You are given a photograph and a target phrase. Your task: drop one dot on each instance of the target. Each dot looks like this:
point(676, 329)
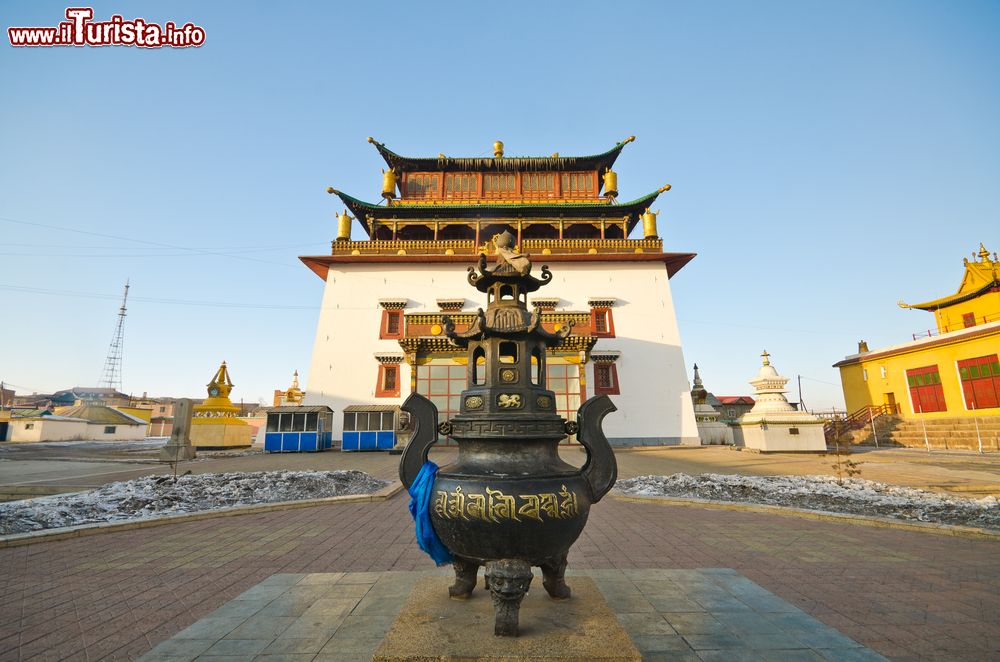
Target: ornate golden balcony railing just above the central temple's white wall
point(469, 247)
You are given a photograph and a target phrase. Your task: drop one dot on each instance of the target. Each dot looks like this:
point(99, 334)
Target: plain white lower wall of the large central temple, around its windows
point(654, 406)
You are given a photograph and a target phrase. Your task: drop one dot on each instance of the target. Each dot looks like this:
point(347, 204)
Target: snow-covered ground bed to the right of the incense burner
point(856, 496)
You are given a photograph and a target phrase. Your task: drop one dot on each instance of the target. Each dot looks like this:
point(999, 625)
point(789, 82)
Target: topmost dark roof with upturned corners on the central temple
point(442, 163)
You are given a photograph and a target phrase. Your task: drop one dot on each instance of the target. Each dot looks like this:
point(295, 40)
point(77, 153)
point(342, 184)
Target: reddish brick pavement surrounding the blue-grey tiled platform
point(908, 595)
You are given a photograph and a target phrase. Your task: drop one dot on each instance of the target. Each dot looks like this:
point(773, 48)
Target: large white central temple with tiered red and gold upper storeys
point(380, 333)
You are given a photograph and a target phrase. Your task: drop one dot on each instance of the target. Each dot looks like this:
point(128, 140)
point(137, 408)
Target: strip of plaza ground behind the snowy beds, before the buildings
point(52, 467)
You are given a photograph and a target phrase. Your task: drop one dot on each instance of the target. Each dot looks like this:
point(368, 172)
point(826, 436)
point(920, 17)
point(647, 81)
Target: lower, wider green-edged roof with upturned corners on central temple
point(489, 210)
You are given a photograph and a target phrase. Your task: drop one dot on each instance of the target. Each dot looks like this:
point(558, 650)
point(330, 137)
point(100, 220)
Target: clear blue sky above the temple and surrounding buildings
point(827, 159)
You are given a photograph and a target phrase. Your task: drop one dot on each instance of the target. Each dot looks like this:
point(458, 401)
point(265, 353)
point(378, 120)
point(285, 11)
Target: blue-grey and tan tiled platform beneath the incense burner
point(678, 615)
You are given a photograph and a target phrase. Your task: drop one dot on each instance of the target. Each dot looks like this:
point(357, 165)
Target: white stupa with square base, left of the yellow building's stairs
point(773, 425)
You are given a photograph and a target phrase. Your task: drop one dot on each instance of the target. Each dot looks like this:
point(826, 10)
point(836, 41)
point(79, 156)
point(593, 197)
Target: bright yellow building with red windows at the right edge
point(951, 373)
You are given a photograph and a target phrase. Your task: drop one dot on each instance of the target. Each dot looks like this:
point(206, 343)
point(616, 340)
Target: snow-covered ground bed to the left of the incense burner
point(157, 496)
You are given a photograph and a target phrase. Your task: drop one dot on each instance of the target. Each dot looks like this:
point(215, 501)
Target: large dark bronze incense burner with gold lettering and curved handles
point(508, 501)
